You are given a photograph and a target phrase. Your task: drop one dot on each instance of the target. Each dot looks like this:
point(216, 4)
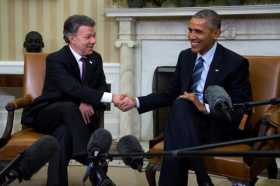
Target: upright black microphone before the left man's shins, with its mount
point(98, 146)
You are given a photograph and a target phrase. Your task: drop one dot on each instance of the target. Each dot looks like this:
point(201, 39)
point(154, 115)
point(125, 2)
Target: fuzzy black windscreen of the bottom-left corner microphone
point(37, 155)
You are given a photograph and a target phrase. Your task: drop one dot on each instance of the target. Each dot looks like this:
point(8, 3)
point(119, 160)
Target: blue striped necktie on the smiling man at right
point(196, 75)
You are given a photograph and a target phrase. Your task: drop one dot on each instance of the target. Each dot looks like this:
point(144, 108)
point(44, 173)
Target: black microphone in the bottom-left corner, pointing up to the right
point(30, 161)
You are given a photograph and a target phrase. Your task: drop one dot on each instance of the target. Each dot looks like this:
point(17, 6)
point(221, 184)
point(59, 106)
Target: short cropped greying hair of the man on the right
point(214, 19)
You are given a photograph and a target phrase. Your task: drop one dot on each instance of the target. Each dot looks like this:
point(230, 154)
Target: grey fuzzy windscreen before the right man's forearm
point(215, 94)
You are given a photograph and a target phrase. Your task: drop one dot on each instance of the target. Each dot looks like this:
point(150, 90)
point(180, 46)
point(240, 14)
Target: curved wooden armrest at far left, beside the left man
point(11, 107)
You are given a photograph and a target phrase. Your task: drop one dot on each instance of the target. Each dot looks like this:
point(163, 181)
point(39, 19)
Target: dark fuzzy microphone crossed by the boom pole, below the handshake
point(129, 145)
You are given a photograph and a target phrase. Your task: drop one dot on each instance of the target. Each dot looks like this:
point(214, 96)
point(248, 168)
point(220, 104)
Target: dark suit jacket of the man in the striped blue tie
point(228, 70)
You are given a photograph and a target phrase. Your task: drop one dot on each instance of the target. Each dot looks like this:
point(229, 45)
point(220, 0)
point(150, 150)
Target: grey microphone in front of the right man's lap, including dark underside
point(219, 101)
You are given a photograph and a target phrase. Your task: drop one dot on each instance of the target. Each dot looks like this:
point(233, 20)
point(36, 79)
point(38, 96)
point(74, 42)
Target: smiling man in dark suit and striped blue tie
point(190, 121)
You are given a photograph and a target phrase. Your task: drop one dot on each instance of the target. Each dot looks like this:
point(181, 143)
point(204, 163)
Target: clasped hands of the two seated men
point(124, 102)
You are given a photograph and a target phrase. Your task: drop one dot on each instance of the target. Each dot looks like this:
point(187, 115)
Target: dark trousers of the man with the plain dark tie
point(64, 121)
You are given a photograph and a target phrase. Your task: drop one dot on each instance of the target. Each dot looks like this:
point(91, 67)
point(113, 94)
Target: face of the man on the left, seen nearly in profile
point(83, 40)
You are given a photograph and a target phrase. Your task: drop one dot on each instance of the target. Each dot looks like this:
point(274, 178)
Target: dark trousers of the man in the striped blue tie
point(186, 128)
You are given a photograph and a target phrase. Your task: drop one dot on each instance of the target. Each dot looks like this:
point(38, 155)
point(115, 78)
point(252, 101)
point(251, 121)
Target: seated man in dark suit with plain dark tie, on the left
point(74, 89)
